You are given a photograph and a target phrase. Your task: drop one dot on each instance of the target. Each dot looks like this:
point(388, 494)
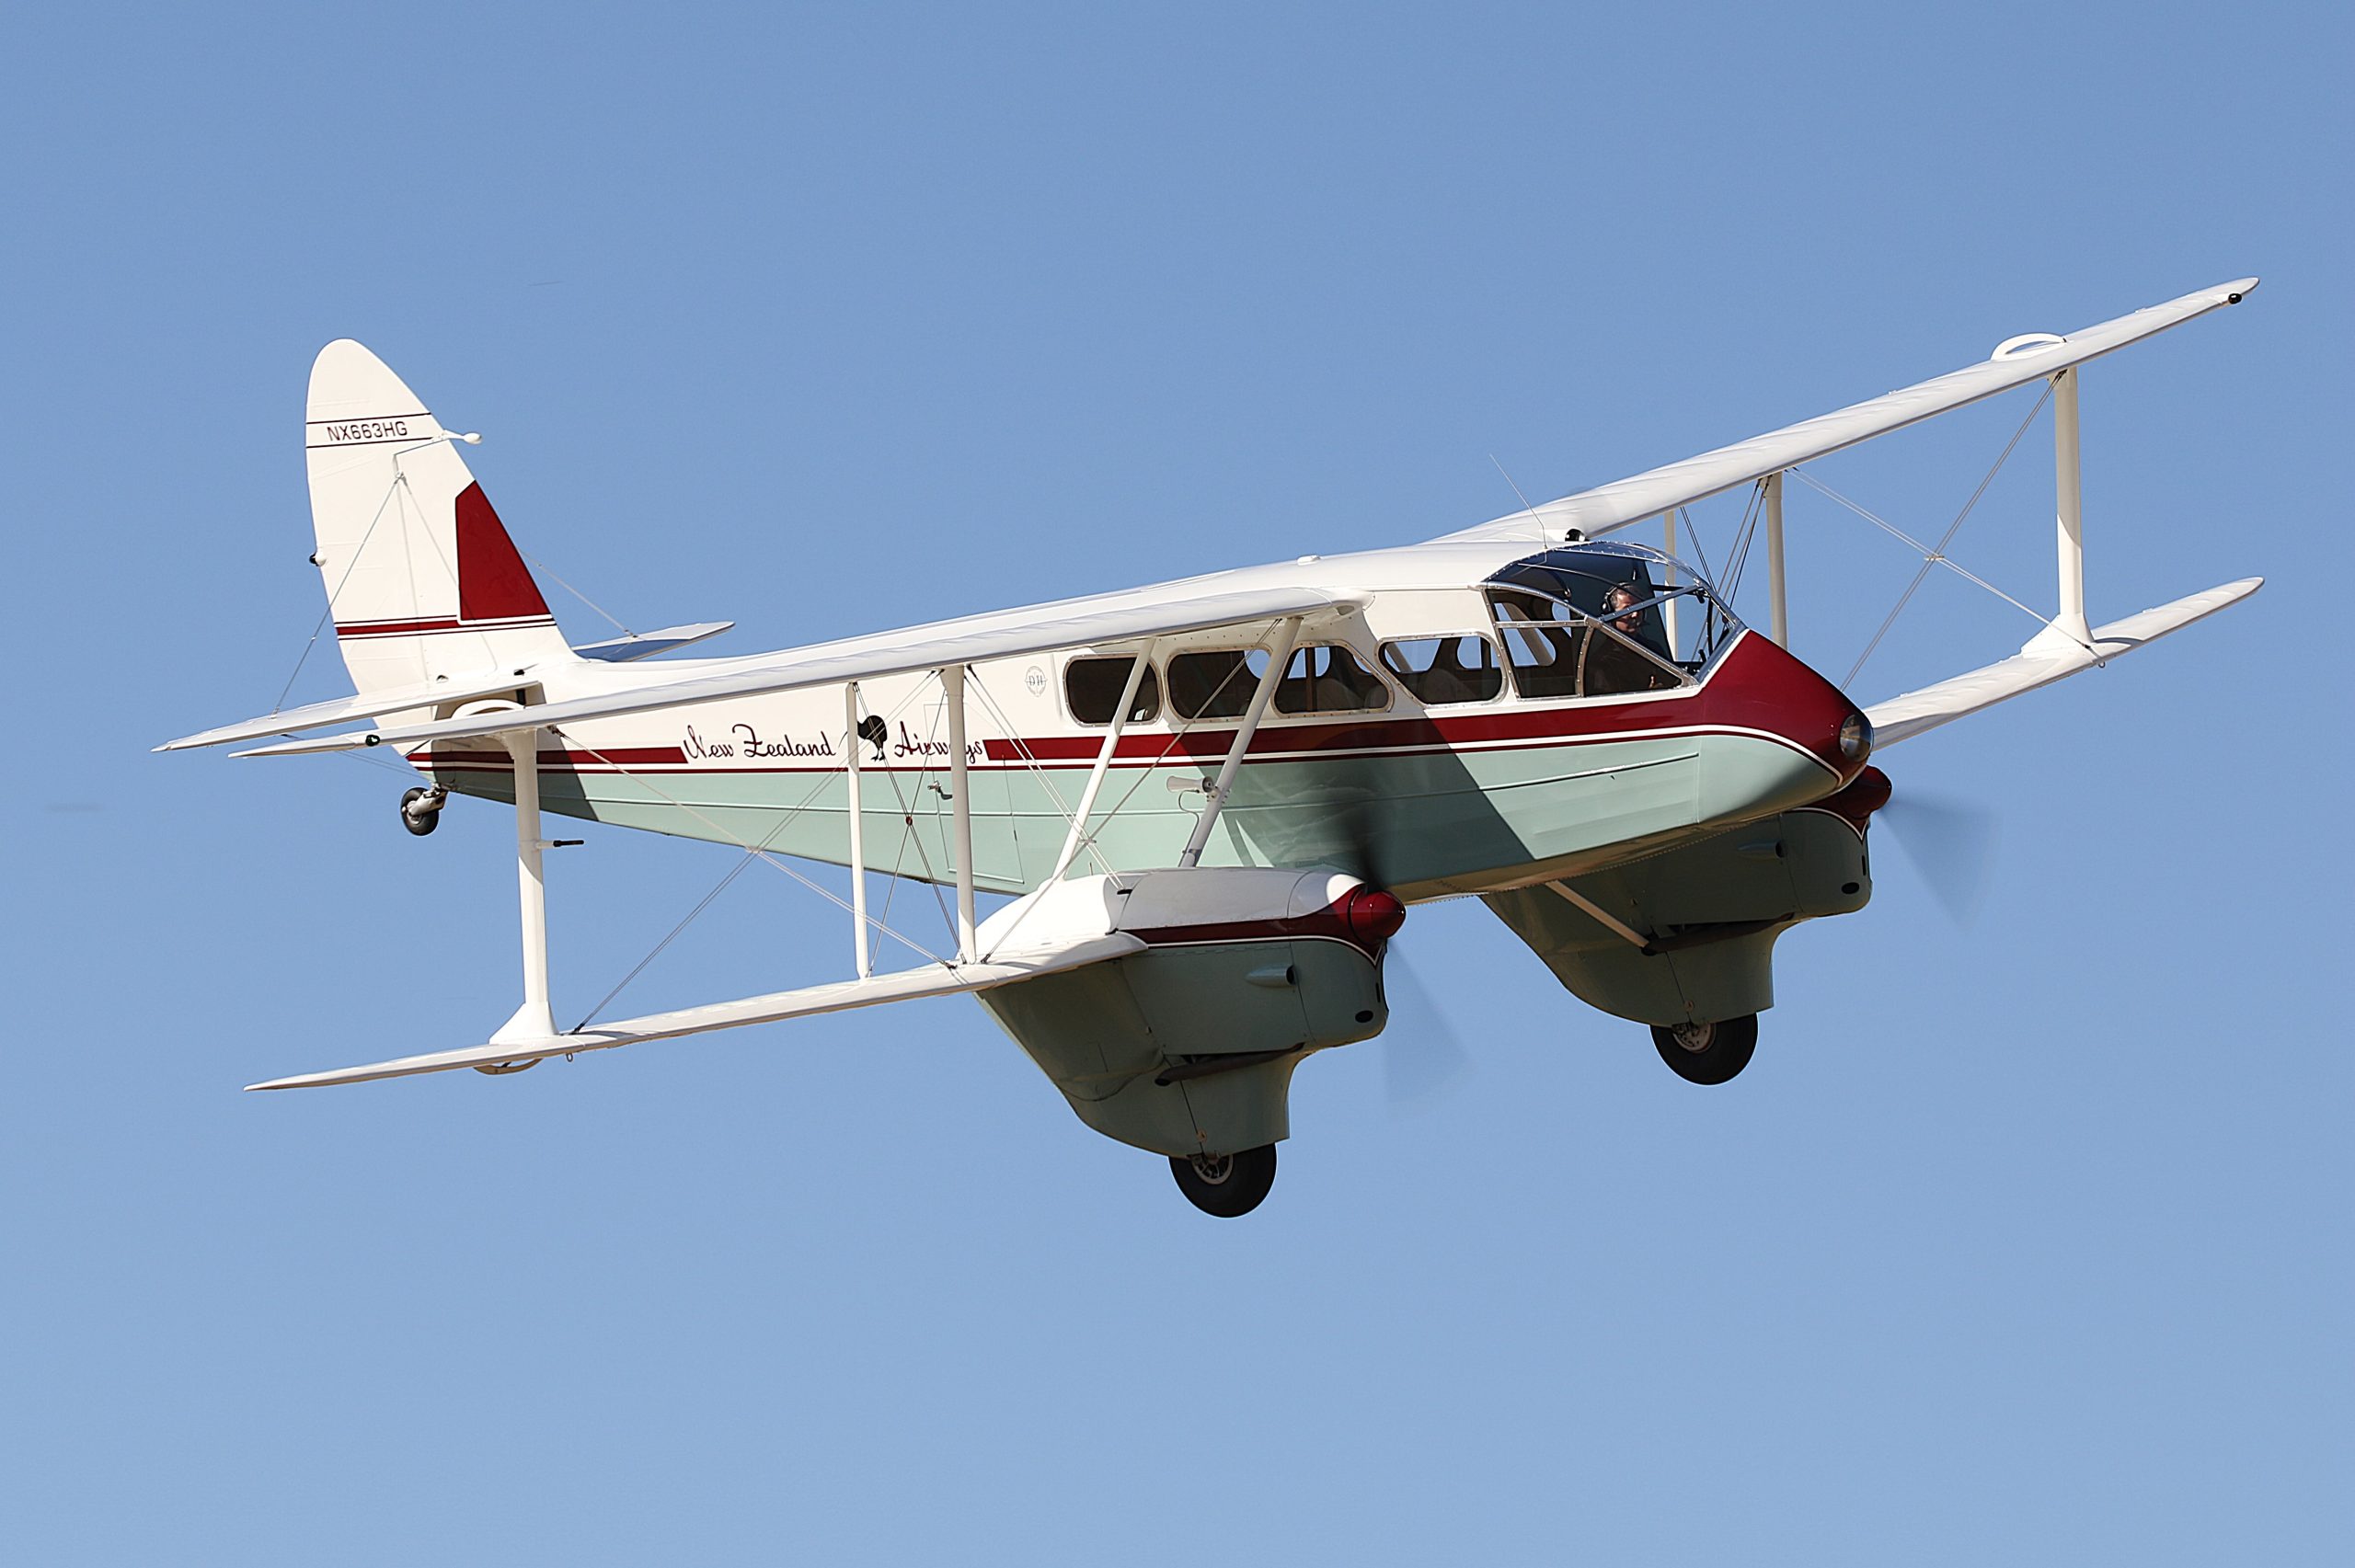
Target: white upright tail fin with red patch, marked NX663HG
point(420, 573)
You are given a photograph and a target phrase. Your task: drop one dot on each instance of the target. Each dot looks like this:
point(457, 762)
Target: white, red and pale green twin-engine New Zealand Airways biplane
point(1205, 804)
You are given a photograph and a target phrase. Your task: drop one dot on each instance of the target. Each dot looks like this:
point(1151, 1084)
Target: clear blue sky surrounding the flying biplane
point(2022, 1240)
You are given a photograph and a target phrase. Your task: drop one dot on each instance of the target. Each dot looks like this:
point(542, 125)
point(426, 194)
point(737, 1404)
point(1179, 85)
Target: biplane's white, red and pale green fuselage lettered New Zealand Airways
point(1466, 788)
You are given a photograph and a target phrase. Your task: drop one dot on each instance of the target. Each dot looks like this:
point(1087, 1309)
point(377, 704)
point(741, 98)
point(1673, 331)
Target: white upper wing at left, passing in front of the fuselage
point(1009, 634)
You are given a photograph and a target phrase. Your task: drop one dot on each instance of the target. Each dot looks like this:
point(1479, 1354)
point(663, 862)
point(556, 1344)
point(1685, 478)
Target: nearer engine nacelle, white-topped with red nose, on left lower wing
point(1190, 1044)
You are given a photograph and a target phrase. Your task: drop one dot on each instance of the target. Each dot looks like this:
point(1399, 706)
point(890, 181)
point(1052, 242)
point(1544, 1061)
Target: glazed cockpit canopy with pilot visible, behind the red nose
point(1586, 620)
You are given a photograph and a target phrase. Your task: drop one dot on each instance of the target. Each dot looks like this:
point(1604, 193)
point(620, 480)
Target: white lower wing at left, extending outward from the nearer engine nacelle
point(908, 985)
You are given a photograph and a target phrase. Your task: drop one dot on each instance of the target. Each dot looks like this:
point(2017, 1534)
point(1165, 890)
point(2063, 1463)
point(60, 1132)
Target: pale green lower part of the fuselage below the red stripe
point(1424, 825)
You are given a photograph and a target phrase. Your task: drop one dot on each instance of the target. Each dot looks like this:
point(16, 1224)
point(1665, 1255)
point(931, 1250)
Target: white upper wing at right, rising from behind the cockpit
point(1647, 496)
